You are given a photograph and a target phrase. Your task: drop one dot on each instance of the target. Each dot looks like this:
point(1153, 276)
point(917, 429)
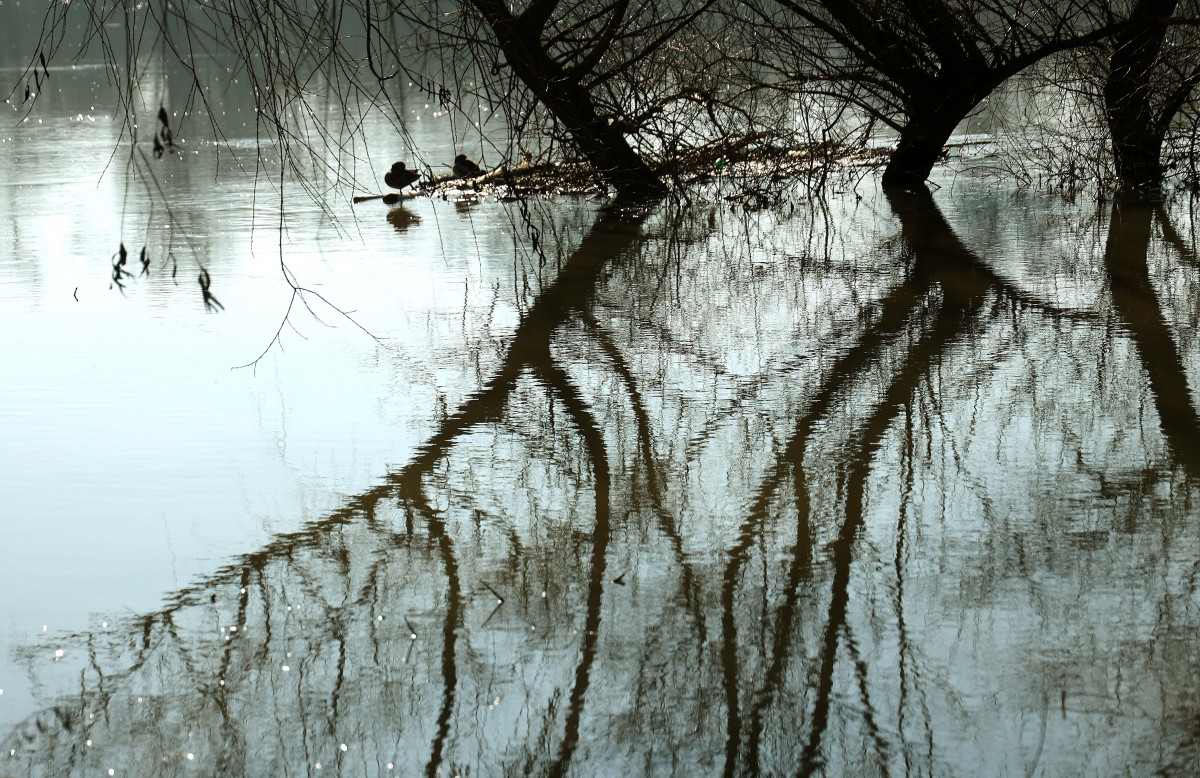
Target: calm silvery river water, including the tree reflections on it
point(875, 484)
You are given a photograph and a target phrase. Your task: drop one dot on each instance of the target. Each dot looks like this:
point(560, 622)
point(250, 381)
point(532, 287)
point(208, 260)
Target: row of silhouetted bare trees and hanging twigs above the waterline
point(653, 94)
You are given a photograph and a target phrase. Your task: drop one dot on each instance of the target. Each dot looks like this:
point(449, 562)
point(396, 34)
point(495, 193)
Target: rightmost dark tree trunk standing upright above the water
point(1135, 124)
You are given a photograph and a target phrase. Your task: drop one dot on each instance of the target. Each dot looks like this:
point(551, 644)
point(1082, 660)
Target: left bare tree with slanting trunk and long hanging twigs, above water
point(632, 88)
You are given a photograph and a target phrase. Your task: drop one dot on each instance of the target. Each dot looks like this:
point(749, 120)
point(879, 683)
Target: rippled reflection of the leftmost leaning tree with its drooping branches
point(530, 352)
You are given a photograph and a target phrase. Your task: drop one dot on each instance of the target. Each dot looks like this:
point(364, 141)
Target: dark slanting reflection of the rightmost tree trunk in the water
point(1137, 304)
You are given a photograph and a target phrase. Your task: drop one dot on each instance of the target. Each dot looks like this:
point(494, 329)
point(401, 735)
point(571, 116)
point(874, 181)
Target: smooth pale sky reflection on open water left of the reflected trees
point(135, 458)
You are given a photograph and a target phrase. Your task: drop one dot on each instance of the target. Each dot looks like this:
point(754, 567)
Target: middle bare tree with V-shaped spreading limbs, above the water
point(922, 67)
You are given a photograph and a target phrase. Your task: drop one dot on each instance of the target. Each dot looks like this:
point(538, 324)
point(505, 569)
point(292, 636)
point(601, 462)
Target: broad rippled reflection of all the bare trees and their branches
point(793, 511)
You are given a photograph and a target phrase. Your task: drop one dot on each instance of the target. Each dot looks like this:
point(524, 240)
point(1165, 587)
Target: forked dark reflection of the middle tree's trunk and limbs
point(945, 290)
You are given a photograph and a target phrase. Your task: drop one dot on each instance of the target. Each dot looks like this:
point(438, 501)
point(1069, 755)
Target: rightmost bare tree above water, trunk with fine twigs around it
point(1118, 113)
